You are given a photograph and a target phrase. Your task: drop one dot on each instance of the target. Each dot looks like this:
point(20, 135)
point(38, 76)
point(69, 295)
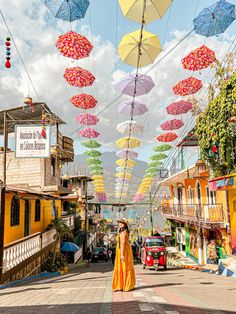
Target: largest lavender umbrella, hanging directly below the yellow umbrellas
point(144, 84)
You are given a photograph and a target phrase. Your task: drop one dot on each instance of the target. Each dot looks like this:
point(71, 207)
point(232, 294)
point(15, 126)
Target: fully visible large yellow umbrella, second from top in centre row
point(129, 48)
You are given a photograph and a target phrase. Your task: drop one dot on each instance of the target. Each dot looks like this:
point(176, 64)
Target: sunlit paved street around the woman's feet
point(175, 291)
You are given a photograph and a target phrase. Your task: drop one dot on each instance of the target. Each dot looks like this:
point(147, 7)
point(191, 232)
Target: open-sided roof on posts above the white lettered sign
point(20, 115)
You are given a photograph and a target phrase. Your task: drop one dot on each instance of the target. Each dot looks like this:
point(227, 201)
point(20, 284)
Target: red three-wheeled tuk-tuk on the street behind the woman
point(154, 253)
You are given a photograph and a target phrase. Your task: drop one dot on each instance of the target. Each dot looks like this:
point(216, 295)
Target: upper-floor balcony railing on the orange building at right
point(197, 214)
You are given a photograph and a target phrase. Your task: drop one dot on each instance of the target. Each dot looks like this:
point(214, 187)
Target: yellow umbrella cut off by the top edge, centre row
point(154, 10)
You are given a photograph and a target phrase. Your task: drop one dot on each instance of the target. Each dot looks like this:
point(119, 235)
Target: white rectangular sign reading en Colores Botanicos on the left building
point(29, 141)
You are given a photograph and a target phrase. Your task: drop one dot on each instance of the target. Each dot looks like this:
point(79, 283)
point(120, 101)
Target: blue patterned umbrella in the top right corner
point(215, 19)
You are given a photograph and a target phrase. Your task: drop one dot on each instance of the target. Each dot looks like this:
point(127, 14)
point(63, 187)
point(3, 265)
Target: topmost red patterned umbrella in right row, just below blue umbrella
point(199, 59)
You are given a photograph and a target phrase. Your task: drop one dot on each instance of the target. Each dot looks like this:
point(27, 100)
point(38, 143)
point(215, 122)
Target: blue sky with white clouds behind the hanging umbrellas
point(35, 31)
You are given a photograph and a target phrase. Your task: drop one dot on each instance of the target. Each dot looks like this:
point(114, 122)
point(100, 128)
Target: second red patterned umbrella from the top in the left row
point(78, 77)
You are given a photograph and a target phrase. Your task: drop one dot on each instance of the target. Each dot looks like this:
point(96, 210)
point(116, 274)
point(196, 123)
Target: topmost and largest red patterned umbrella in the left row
point(74, 45)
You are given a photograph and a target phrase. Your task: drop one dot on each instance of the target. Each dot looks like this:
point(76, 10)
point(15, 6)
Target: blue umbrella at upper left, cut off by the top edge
point(68, 10)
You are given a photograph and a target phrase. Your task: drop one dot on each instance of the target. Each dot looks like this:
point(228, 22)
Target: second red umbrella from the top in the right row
point(188, 86)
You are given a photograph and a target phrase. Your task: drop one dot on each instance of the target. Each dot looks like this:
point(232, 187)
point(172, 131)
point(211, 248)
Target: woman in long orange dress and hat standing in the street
point(123, 275)
